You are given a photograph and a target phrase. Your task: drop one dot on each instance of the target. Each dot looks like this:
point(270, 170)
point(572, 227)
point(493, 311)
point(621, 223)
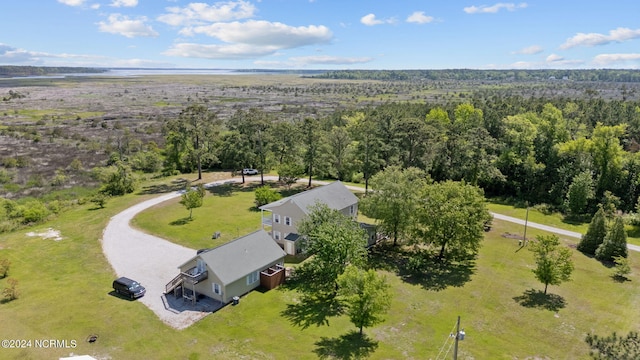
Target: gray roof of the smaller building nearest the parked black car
point(242, 256)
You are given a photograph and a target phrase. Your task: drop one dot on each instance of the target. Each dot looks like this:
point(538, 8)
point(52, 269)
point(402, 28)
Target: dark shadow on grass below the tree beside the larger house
point(312, 310)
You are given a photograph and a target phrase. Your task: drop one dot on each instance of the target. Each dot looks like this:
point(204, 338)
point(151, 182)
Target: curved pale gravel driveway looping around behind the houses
point(154, 261)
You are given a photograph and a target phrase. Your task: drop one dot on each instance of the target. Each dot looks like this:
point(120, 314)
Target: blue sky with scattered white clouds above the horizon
point(322, 34)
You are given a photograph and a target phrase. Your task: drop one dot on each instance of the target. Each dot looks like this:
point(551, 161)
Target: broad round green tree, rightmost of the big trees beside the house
point(451, 215)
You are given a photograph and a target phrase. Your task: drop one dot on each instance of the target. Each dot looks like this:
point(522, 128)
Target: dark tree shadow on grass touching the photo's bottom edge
point(352, 345)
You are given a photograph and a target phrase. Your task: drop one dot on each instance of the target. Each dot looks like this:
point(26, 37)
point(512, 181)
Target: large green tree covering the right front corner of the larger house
point(333, 241)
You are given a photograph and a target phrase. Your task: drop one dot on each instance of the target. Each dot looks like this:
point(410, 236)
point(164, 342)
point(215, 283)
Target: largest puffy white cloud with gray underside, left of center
point(265, 33)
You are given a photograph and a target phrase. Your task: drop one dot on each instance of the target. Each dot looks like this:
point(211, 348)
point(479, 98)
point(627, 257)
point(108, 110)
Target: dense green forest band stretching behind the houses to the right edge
point(531, 149)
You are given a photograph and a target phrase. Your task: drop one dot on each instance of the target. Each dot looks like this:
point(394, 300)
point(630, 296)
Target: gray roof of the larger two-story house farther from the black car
point(335, 196)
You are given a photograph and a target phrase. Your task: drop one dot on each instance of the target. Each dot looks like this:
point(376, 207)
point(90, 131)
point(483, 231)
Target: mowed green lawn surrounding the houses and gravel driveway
point(65, 294)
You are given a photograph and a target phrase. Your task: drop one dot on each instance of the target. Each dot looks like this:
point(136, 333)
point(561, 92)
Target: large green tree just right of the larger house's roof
point(394, 199)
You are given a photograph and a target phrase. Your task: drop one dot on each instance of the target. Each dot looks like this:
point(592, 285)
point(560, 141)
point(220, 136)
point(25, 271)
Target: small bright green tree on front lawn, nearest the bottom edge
point(366, 296)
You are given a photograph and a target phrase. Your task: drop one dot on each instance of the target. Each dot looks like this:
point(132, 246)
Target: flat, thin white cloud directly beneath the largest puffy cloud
point(229, 52)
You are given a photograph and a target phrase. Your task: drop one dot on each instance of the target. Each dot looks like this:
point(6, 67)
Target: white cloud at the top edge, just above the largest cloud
point(198, 13)
